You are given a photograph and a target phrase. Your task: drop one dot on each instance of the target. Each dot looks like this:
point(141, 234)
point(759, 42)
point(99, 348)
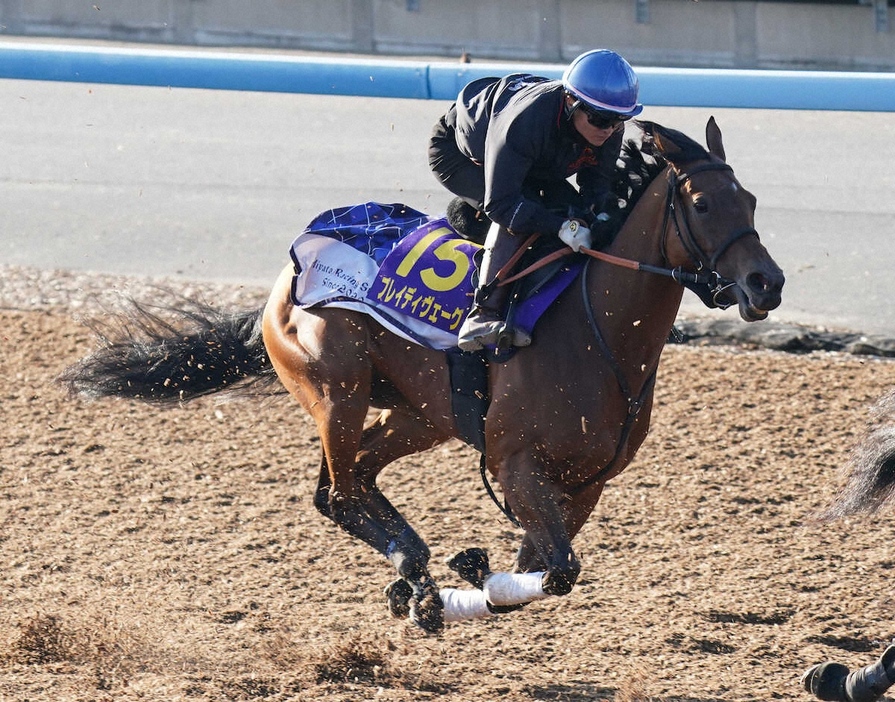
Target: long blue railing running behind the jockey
point(762, 89)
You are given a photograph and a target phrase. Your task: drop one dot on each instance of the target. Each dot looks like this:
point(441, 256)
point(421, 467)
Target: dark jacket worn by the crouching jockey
point(518, 129)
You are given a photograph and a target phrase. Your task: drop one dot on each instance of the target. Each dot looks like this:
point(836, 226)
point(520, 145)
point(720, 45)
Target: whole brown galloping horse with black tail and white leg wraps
point(566, 414)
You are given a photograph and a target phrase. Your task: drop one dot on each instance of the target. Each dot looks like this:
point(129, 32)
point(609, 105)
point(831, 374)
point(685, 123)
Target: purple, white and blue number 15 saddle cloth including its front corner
point(412, 273)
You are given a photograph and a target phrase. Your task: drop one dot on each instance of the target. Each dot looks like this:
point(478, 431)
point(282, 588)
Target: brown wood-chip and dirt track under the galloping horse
point(176, 555)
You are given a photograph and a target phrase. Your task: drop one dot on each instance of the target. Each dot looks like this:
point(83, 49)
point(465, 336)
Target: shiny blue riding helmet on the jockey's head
point(604, 81)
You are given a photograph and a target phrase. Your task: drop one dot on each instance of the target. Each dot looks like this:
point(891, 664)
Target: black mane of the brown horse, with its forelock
point(641, 161)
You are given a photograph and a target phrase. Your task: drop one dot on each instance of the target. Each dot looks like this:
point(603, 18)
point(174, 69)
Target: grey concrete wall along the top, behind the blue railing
point(709, 33)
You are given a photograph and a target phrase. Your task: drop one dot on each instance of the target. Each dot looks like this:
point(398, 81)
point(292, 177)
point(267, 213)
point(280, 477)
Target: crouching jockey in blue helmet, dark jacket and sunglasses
point(506, 148)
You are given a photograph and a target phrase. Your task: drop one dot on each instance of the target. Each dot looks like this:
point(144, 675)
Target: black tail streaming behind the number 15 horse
point(173, 354)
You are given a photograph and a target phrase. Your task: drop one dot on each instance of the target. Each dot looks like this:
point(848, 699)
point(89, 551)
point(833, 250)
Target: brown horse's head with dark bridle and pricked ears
point(710, 221)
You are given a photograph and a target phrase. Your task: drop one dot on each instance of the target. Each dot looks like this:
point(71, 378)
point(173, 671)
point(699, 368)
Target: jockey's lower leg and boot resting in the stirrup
point(485, 324)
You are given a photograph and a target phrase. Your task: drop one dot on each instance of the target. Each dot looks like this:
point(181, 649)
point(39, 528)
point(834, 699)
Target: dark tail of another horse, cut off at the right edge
point(871, 479)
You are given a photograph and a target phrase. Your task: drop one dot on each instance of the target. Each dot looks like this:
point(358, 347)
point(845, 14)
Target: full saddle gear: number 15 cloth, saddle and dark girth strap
point(413, 274)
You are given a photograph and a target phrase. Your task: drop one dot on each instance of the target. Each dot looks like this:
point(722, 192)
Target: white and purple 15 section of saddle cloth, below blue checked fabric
point(422, 291)
